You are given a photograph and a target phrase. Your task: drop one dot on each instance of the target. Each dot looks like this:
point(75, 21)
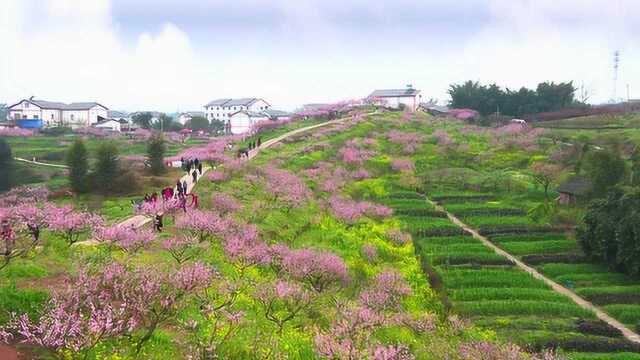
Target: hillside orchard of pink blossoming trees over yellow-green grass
point(296, 254)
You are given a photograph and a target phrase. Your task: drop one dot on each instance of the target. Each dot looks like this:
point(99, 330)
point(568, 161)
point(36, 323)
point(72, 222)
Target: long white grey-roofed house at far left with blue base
point(31, 113)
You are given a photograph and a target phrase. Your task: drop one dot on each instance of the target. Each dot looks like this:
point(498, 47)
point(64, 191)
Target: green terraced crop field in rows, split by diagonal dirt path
point(488, 289)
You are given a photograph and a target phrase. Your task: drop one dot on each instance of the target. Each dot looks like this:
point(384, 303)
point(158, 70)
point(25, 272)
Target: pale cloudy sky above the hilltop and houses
point(178, 55)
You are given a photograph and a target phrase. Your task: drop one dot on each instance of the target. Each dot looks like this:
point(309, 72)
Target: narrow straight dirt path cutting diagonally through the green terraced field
point(628, 333)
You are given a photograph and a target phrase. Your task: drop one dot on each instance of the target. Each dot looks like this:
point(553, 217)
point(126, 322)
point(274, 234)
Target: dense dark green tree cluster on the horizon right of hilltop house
point(489, 99)
